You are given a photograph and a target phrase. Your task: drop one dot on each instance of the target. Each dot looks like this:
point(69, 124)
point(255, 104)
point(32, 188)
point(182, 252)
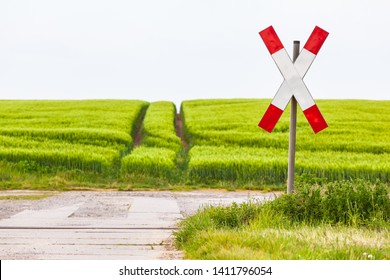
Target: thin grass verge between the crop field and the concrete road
point(15, 177)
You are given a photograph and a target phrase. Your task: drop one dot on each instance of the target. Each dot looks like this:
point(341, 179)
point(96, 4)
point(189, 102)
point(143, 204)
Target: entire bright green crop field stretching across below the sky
point(91, 143)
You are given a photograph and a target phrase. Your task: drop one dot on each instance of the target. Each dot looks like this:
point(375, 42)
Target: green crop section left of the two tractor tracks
point(71, 135)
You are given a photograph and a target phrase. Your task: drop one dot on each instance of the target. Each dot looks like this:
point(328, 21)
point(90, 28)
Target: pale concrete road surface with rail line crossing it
point(101, 225)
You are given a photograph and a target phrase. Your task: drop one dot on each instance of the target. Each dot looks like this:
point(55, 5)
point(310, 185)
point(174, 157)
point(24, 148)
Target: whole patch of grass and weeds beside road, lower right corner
point(295, 226)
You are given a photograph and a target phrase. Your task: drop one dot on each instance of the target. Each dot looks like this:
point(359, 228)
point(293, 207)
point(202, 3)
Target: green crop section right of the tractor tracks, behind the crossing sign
point(227, 144)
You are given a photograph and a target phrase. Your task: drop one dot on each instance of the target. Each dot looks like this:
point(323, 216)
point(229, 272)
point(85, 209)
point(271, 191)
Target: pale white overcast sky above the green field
point(178, 50)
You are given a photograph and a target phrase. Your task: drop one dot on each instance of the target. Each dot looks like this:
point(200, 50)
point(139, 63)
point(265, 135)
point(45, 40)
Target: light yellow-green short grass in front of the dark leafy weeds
point(295, 243)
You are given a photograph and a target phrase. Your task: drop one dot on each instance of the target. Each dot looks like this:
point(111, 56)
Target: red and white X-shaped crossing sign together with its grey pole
point(293, 89)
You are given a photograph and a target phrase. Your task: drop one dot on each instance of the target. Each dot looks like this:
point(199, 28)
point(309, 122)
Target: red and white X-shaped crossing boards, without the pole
point(293, 74)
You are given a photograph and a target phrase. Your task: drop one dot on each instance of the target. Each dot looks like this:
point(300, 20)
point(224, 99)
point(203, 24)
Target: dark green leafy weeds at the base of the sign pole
point(345, 202)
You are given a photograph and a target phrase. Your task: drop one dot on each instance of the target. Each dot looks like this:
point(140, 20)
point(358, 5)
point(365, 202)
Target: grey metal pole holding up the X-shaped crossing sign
point(293, 132)
